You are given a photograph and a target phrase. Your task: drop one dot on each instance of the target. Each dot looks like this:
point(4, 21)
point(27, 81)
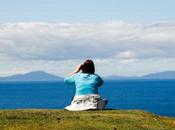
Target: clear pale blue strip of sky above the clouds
point(86, 10)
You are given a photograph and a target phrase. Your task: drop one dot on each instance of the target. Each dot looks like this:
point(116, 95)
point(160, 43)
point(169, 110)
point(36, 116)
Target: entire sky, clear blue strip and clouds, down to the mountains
point(123, 37)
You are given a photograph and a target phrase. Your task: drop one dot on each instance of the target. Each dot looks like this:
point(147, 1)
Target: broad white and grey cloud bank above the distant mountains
point(117, 47)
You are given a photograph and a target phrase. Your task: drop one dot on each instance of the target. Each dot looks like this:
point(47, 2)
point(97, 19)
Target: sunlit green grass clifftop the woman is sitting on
point(85, 120)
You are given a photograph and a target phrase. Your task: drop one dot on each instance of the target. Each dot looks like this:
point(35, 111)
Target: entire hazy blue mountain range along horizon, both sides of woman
point(43, 76)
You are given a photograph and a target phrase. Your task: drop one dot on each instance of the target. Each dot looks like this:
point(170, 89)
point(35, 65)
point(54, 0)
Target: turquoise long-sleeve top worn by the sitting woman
point(85, 83)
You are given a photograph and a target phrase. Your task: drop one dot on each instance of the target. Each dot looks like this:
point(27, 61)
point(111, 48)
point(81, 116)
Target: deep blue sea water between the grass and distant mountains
point(153, 96)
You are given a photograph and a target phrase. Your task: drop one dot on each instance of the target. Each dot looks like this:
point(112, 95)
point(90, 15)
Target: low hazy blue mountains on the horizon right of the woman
point(159, 75)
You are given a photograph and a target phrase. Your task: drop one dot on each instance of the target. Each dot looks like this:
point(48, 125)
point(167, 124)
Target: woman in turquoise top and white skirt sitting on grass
point(87, 84)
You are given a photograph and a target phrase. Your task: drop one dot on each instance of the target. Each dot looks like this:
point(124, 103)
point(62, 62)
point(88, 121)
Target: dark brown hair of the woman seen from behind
point(88, 67)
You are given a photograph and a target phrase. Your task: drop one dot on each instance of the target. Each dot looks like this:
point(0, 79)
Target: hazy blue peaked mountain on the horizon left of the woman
point(32, 76)
